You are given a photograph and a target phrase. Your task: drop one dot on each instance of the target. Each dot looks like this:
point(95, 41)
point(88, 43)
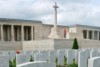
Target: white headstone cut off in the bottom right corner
point(94, 62)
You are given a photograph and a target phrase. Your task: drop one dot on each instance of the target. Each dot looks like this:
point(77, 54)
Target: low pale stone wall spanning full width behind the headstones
point(47, 44)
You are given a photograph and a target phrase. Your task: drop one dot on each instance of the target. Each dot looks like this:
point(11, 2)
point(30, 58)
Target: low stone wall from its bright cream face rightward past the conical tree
point(50, 44)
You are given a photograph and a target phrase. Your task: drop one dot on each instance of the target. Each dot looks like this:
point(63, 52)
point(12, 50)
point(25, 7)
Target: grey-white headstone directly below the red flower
point(22, 58)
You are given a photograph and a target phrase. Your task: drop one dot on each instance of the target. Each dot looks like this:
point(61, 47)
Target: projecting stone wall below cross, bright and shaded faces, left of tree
point(47, 44)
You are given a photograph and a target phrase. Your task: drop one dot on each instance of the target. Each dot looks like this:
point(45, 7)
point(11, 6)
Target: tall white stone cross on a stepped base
point(53, 33)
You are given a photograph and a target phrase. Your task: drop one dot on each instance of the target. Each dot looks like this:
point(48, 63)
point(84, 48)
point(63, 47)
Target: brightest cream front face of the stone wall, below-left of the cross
point(38, 45)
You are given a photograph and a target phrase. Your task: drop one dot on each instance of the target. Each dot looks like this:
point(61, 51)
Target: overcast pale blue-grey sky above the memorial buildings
point(86, 12)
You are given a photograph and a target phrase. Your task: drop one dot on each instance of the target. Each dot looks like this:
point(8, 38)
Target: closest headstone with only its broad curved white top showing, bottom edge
point(38, 64)
